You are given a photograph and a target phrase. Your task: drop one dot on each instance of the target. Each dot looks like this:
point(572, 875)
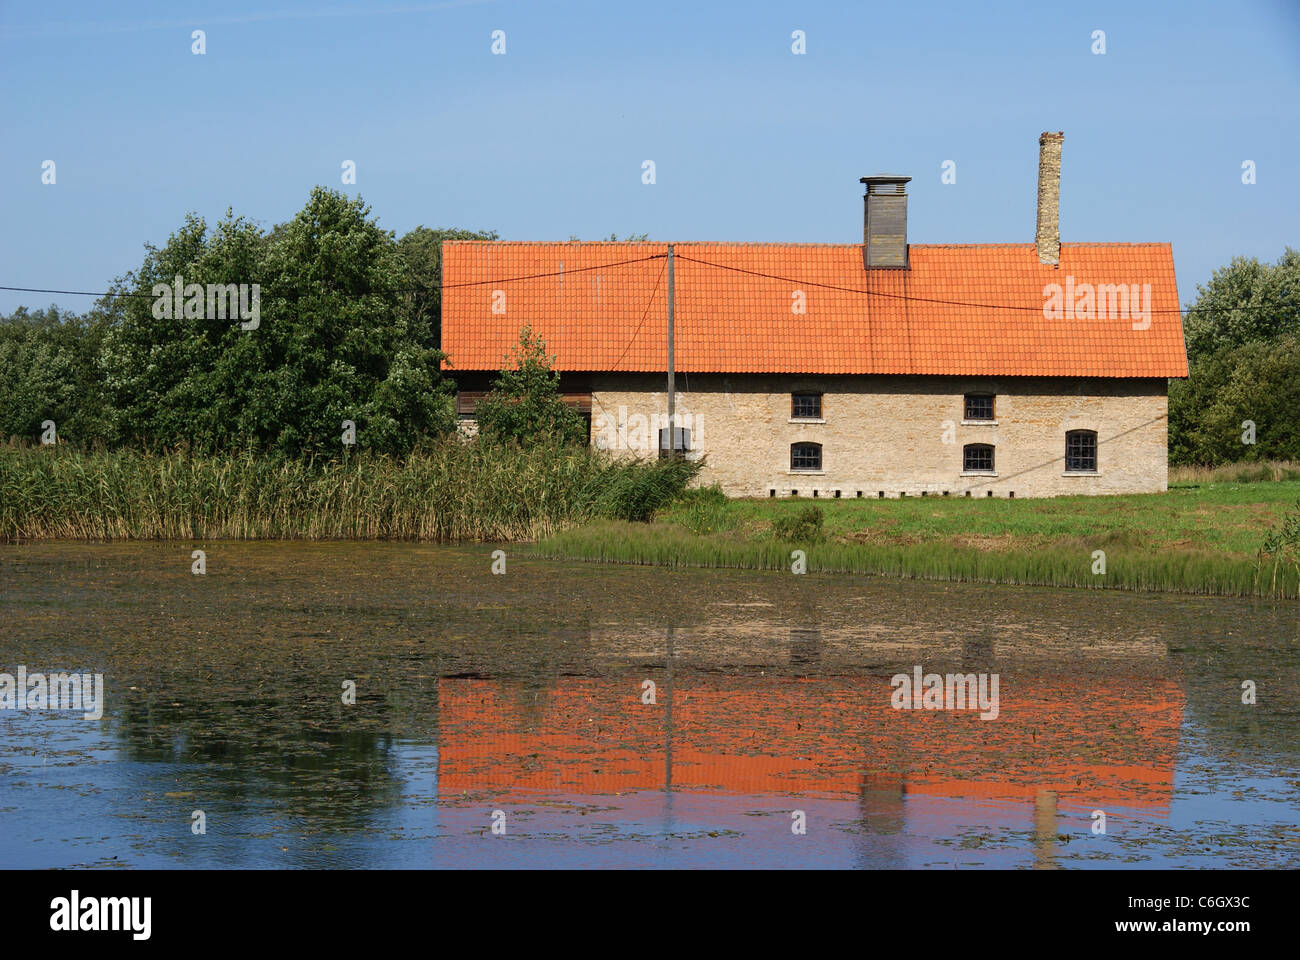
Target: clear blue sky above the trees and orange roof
point(751, 141)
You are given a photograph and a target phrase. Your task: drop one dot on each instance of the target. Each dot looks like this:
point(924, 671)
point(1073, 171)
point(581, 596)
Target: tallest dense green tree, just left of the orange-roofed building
point(343, 343)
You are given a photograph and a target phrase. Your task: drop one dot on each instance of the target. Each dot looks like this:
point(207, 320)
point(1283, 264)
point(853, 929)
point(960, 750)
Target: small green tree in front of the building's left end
point(525, 404)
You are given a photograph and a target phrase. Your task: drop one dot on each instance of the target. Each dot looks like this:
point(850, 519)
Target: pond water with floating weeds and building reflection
point(518, 702)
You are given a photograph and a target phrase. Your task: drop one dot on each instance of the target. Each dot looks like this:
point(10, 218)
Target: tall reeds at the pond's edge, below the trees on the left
point(447, 492)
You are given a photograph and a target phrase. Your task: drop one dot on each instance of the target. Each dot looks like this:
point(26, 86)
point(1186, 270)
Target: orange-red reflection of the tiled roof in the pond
point(1090, 741)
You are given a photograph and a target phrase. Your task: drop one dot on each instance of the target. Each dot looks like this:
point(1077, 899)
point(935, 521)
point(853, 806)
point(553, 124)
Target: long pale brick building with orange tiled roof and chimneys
point(844, 370)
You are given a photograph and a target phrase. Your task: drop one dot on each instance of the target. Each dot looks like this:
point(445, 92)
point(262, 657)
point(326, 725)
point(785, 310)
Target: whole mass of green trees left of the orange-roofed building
point(348, 330)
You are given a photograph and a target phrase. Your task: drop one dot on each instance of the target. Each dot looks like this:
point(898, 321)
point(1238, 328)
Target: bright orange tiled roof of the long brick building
point(959, 310)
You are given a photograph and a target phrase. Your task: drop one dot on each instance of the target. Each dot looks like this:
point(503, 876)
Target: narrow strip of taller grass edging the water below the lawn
point(1180, 572)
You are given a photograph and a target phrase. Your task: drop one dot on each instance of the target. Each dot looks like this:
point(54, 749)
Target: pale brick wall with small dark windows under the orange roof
point(896, 435)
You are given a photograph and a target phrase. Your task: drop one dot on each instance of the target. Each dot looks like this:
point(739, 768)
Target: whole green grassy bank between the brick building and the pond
point(1195, 539)
